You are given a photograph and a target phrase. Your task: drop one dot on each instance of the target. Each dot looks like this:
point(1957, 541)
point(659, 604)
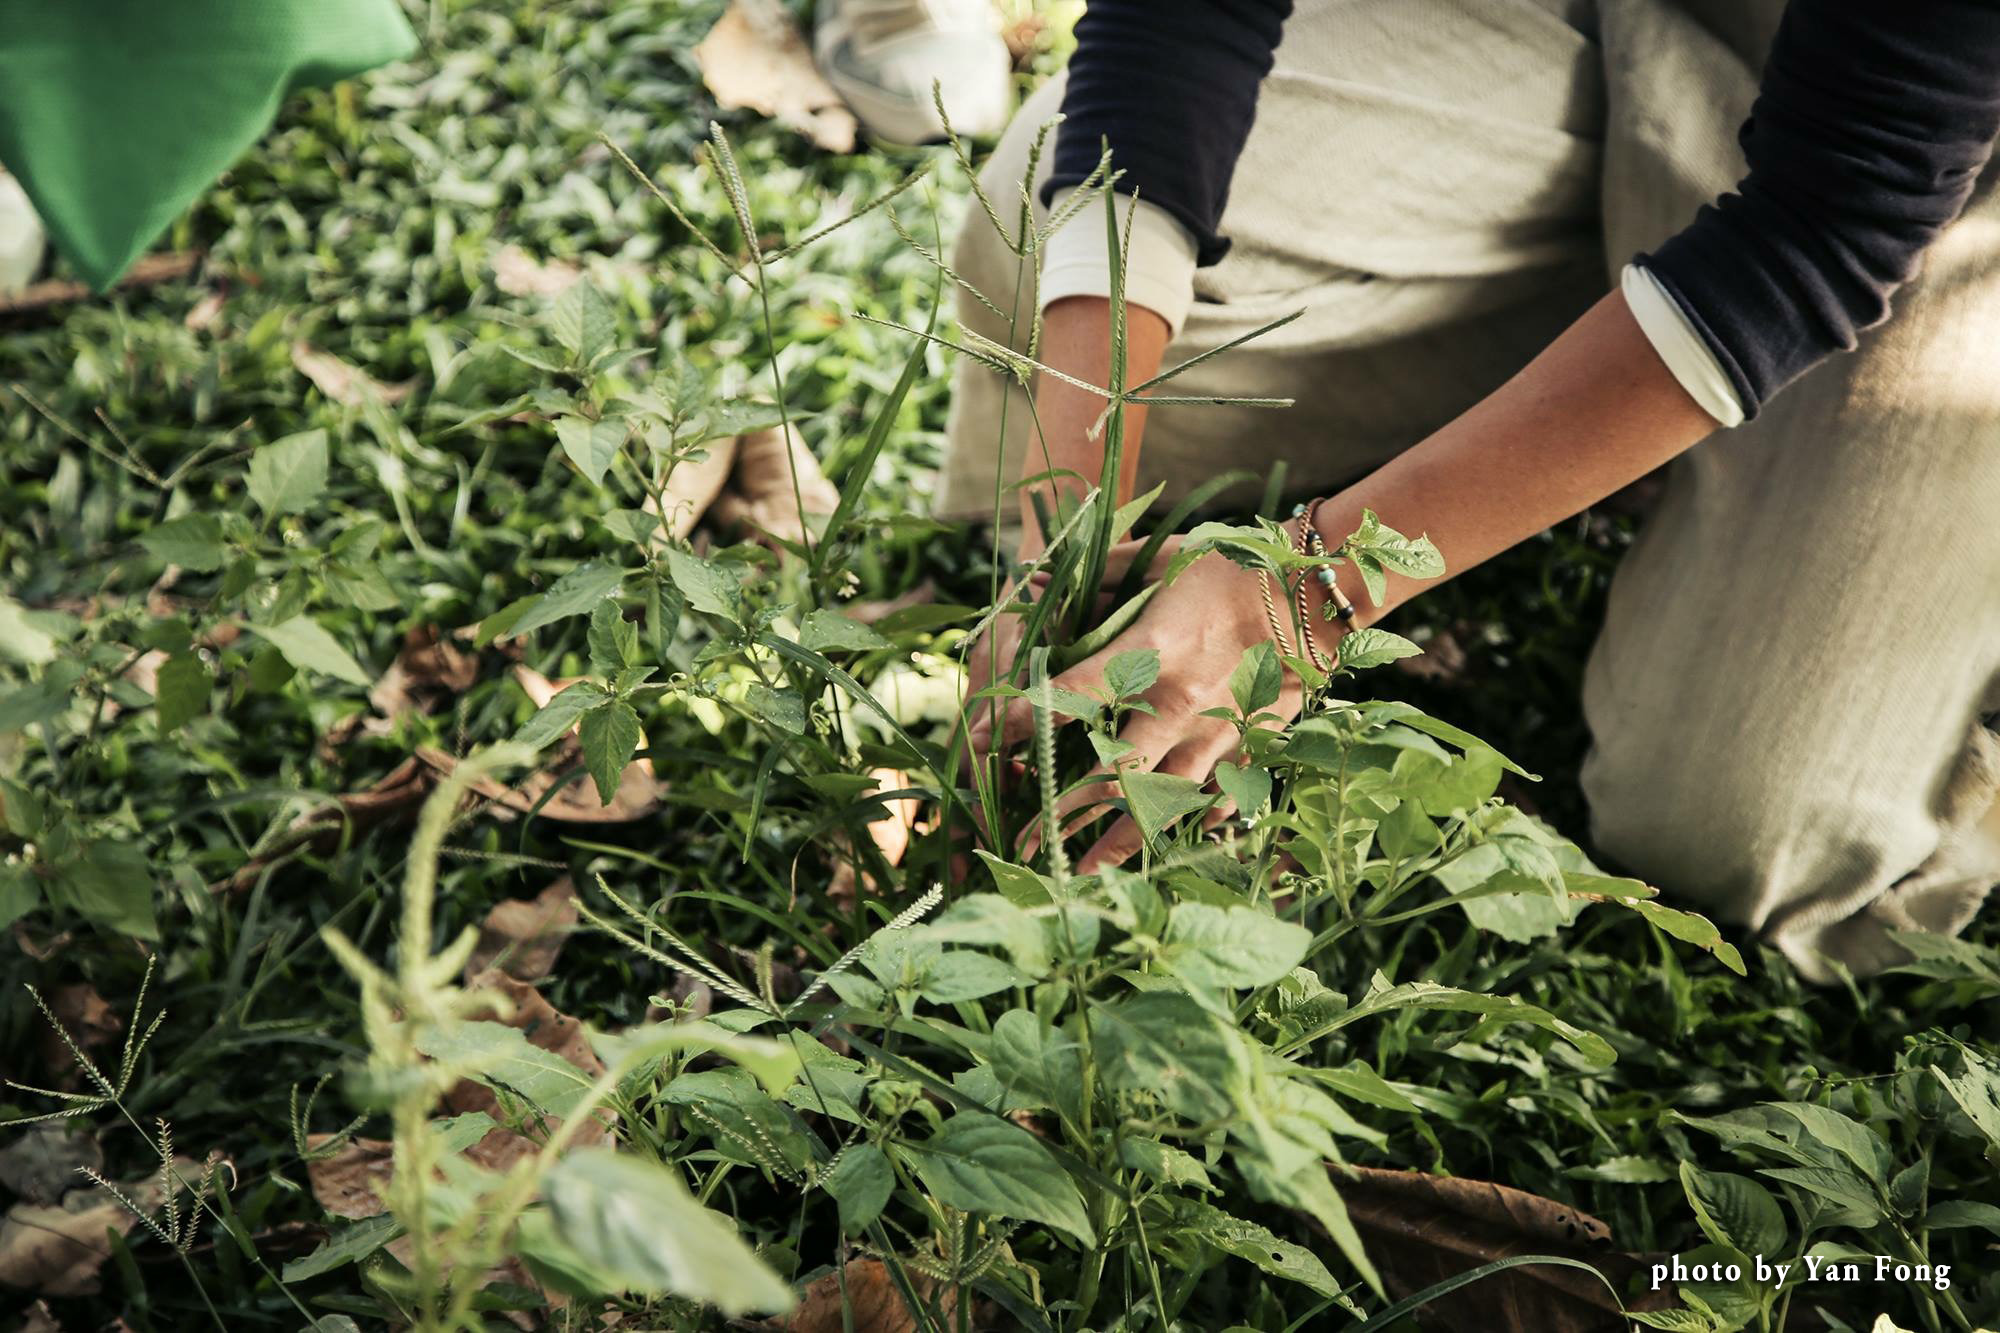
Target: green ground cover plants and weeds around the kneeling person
point(447, 888)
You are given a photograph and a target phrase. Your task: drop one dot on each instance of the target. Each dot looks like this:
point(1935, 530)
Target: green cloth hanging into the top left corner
point(117, 115)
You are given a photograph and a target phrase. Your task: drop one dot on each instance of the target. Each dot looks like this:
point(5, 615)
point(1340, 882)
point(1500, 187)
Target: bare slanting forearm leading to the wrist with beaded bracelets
point(1593, 413)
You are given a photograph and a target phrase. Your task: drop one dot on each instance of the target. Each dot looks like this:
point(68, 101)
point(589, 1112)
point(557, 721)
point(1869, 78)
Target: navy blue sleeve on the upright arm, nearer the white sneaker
point(1171, 85)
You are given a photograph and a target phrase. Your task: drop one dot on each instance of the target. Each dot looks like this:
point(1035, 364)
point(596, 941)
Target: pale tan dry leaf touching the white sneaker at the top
point(755, 57)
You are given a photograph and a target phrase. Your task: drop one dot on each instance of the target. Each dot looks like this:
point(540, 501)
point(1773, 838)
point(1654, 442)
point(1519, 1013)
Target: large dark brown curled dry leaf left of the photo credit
point(1425, 1228)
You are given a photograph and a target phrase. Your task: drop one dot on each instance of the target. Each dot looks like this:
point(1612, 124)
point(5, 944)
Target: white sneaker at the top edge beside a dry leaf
point(883, 57)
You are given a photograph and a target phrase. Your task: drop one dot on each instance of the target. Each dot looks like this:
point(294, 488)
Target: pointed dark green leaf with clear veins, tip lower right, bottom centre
point(979, 1164)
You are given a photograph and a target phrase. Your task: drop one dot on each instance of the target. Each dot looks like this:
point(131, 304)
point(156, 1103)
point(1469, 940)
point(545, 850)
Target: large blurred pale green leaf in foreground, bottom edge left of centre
point(639, 1222)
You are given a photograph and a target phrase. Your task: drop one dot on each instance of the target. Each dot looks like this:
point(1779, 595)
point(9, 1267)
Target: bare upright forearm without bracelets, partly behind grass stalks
point(1077, 341)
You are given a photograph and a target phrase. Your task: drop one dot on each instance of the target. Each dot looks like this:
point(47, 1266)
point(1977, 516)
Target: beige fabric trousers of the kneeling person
point(1787, 700)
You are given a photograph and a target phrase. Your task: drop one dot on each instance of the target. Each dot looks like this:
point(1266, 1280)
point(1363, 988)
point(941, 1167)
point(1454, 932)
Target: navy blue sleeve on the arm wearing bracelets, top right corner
point(1865, 141)
